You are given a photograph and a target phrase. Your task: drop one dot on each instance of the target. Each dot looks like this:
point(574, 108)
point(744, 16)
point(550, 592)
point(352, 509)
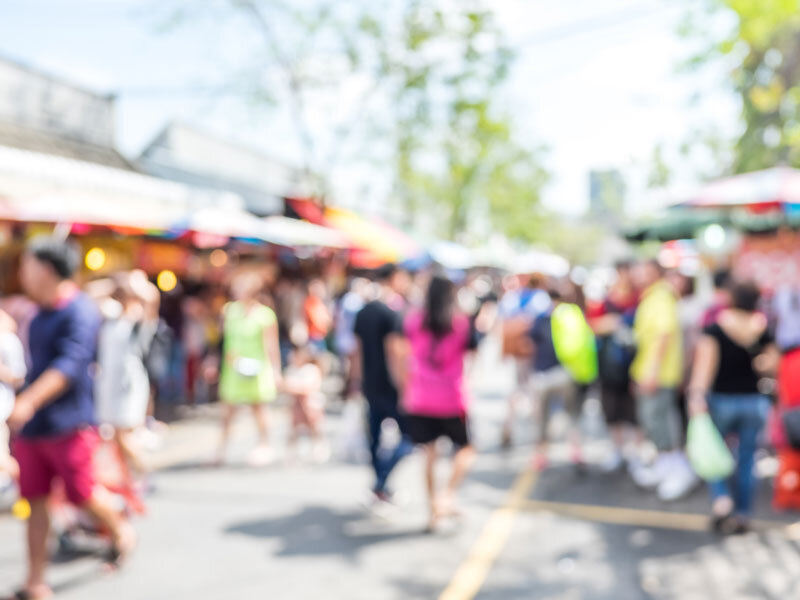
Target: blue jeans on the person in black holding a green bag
point(741, 416)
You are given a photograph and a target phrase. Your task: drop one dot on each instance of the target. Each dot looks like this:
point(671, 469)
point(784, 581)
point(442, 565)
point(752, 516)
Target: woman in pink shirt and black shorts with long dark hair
point(439, 337)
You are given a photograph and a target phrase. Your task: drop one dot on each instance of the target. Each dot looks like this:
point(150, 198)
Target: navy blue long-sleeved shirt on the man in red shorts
point(64, 339)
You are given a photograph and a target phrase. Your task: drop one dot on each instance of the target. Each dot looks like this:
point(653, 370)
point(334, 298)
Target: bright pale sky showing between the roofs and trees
point(595, 82)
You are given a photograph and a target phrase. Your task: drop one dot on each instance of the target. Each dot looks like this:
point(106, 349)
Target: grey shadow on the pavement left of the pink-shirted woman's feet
point(322, 531)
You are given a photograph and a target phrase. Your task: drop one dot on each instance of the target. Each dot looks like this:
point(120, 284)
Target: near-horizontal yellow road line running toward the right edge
point(635, 517)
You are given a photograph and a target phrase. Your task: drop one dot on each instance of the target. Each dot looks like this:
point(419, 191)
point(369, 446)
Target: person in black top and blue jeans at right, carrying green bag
point(731, 357)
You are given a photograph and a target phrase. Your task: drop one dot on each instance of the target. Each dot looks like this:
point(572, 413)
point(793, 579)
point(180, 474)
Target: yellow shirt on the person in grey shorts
point(656, 317)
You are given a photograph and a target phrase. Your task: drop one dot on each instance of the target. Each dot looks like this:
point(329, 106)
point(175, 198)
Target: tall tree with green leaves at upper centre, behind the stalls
point(455, 149)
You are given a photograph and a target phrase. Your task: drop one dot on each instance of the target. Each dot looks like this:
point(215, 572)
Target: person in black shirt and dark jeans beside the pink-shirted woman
point(379, 329)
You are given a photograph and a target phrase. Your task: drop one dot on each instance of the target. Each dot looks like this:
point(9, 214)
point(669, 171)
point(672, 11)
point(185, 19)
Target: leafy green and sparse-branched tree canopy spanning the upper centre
point(413, 87)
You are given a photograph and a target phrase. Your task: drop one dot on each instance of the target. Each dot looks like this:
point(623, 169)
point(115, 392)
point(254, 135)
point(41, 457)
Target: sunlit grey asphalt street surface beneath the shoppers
point(300, 531)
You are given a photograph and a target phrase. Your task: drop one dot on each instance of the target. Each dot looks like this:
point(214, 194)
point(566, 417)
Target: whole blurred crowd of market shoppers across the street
point(83, 369)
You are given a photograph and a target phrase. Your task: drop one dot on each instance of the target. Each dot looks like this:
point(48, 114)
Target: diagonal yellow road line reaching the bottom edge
point(472, 573)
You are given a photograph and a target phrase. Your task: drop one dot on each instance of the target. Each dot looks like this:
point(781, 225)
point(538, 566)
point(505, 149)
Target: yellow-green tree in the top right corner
point(762, 44)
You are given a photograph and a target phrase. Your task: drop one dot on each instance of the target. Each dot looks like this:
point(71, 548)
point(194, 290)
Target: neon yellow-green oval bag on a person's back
point(574, 342)
